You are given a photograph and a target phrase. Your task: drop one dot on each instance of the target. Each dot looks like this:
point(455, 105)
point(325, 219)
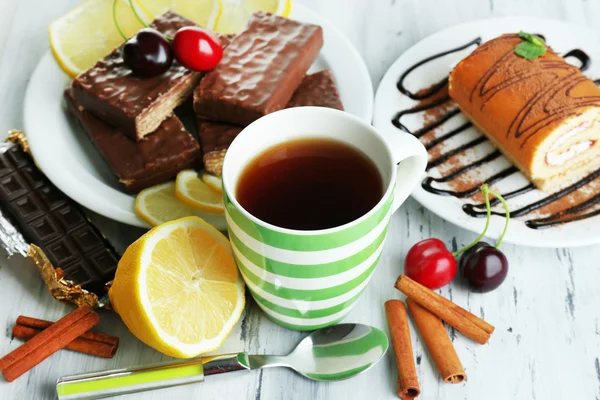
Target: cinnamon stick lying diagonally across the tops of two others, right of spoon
point(468, 324)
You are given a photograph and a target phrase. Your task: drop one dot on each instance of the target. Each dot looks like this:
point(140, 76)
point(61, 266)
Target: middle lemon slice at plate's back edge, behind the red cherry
point(203, 12)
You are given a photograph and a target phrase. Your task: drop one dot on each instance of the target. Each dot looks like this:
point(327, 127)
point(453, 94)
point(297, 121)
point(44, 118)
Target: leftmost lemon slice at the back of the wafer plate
point(87, 33)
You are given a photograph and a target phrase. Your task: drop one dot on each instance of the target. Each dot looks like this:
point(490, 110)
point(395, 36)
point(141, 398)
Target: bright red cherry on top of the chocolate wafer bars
point(197, 49)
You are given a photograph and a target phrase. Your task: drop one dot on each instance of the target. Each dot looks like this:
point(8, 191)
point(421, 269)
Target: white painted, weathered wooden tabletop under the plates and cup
point(547, 313)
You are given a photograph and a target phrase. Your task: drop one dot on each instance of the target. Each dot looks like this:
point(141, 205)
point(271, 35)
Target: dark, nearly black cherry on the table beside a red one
point(484, 267)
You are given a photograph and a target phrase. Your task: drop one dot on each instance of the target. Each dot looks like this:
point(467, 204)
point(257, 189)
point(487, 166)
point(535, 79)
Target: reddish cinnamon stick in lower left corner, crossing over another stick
point(48, 342)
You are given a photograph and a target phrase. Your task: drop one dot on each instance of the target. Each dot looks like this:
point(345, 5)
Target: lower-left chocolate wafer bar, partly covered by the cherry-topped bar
point(138, 165)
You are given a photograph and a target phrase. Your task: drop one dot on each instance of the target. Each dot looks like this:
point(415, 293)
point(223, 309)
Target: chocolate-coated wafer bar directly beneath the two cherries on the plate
point(136, 106)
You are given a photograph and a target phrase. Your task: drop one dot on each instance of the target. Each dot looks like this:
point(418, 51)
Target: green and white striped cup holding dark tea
point(306, 280)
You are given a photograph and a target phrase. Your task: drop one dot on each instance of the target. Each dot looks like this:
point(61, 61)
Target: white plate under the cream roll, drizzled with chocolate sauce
point(388, 101)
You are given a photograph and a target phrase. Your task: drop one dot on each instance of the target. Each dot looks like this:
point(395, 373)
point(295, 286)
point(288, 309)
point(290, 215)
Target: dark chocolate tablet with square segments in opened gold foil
point(49, 219)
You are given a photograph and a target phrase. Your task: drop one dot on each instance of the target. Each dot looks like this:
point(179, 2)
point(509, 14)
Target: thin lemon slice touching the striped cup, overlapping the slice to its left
point(192, 190)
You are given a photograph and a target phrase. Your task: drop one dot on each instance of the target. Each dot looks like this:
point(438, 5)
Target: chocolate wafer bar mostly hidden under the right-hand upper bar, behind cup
point(316, 89)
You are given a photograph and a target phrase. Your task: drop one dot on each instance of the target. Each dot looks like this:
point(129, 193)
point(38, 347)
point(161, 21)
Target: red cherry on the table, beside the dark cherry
point(430, 263)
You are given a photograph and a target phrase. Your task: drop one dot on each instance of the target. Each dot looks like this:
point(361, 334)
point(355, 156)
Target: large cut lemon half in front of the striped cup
point(177, 288)
